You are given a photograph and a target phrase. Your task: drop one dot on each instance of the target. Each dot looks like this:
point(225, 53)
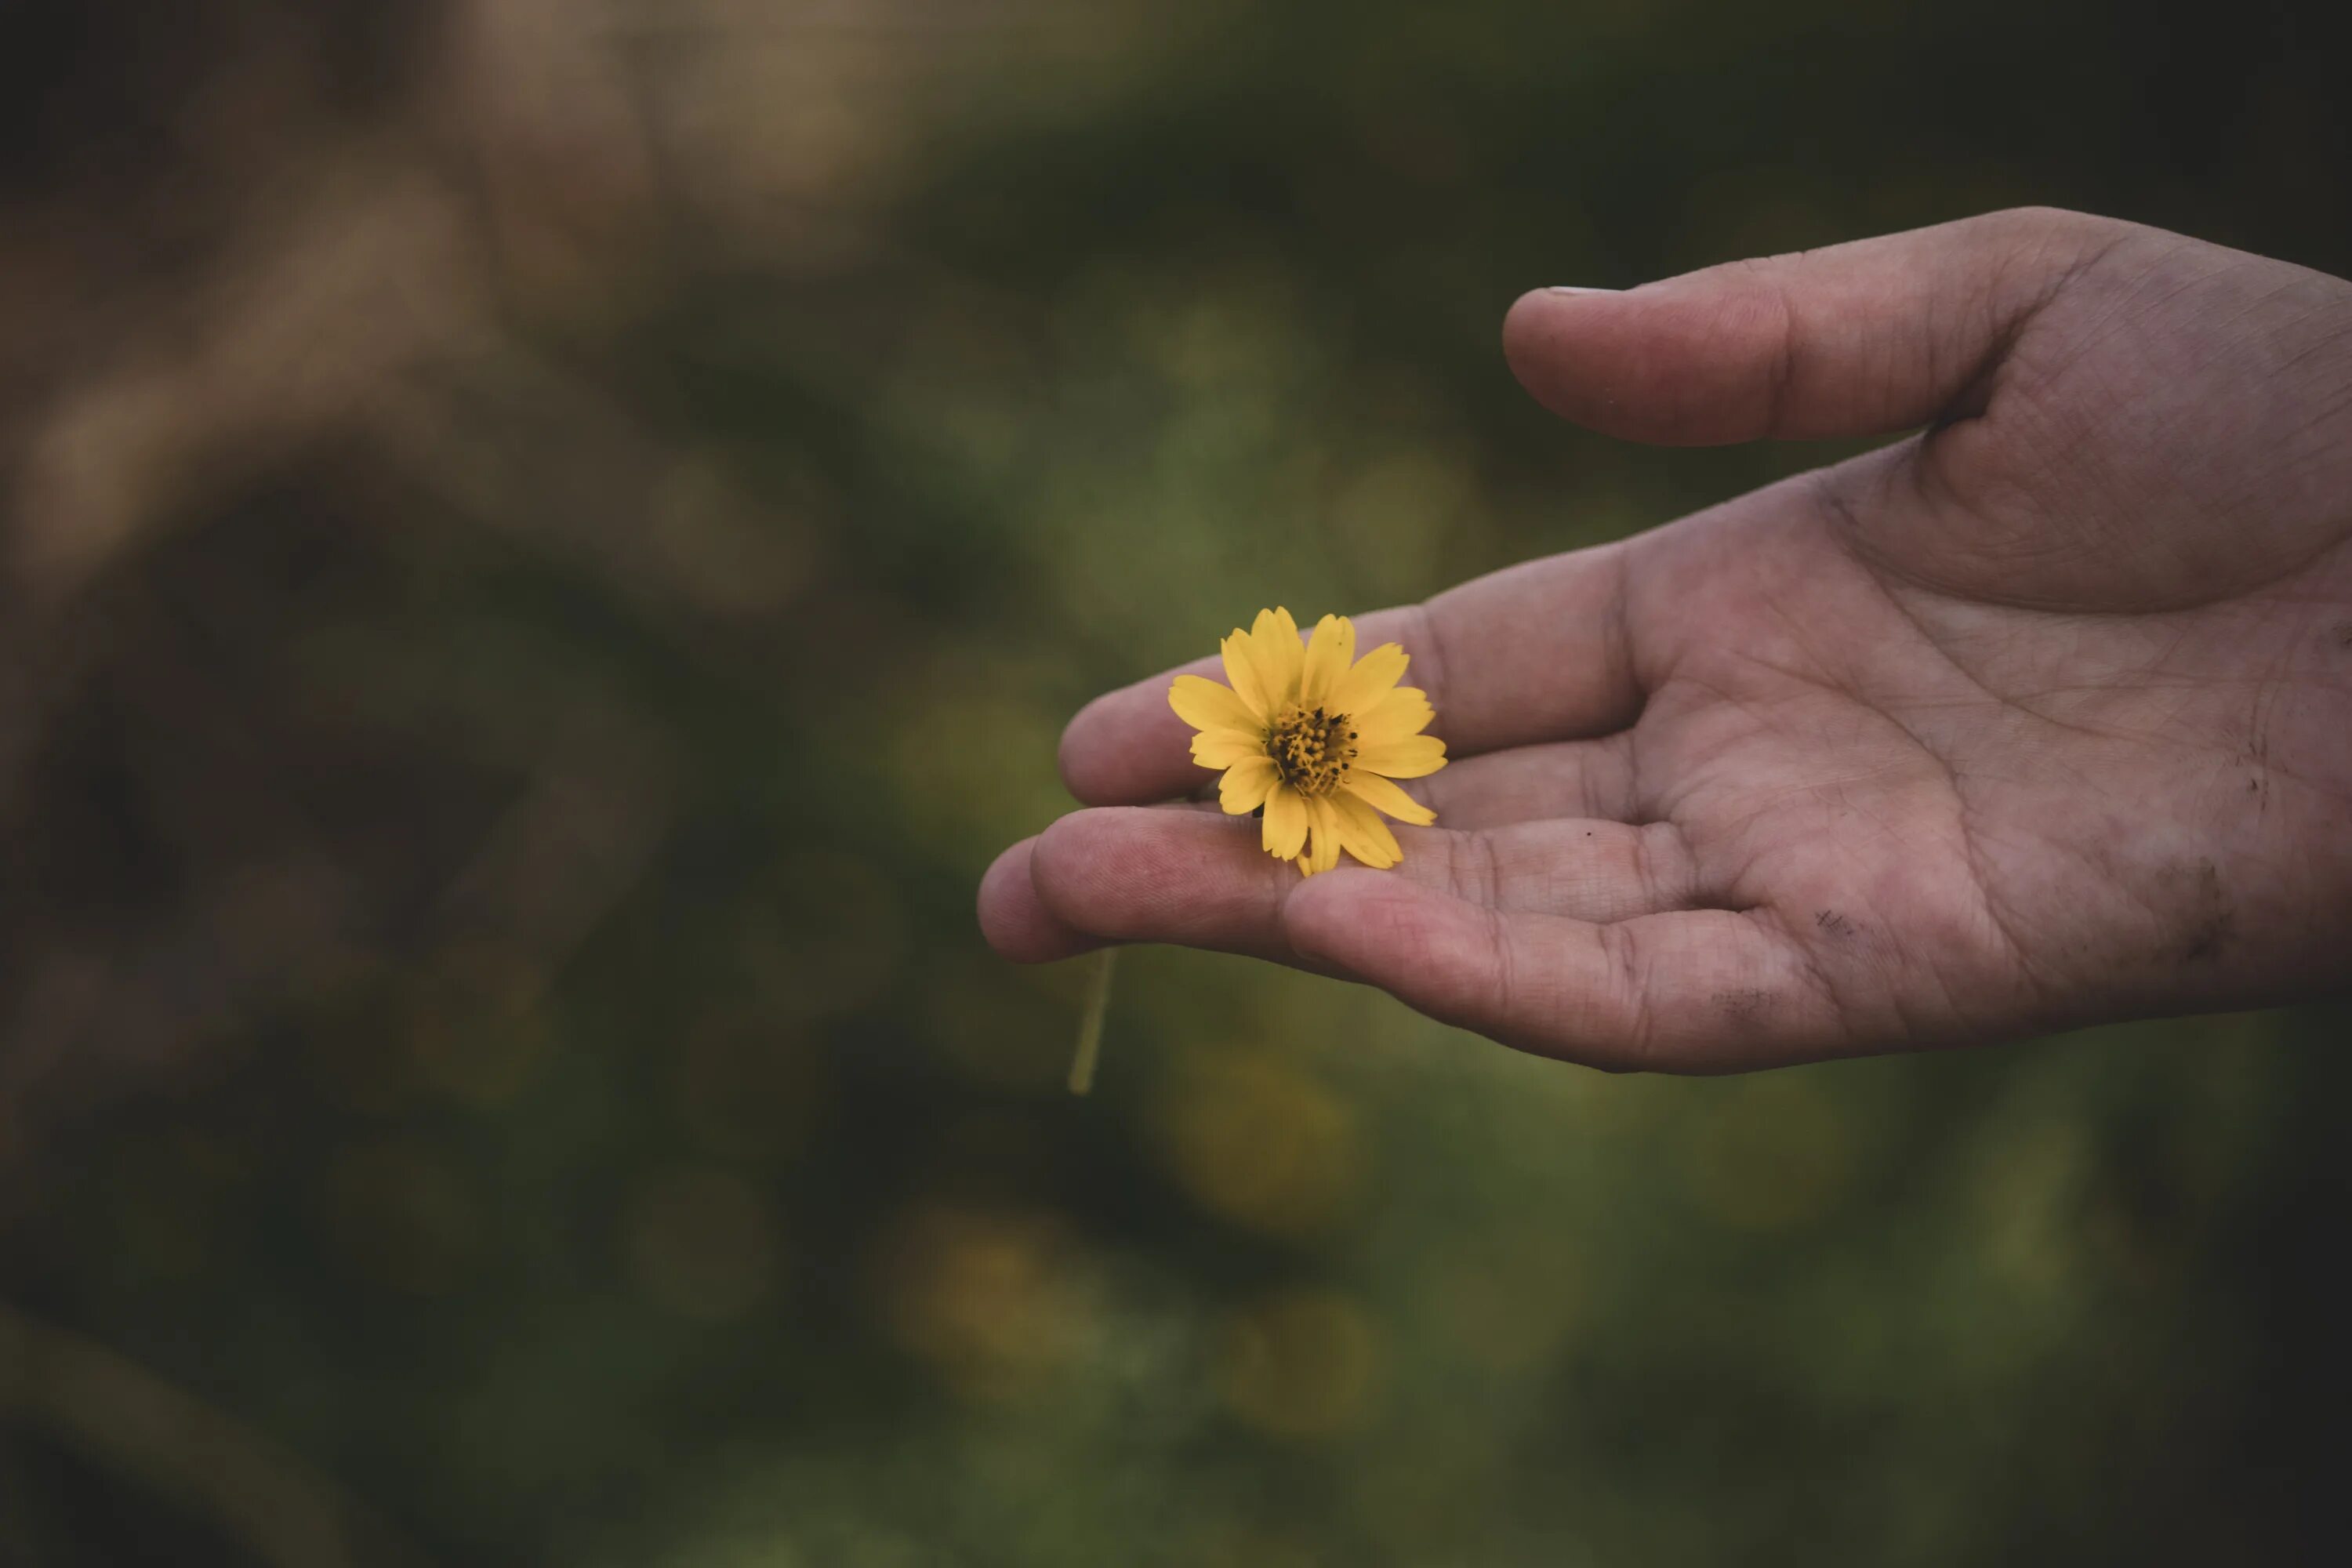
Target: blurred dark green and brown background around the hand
point(547, 547)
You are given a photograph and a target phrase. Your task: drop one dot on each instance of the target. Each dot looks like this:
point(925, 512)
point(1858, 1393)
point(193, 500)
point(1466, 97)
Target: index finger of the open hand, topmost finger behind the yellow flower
point(1535, 652)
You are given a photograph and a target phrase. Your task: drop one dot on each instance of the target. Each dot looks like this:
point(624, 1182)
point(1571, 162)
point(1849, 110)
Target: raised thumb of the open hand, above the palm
point(1855, 340)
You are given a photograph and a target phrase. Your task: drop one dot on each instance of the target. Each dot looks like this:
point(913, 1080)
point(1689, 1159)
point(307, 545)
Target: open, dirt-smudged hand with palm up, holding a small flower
point(2036, 718)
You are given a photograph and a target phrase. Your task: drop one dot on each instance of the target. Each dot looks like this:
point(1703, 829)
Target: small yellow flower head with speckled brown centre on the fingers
point(1314, 737)
